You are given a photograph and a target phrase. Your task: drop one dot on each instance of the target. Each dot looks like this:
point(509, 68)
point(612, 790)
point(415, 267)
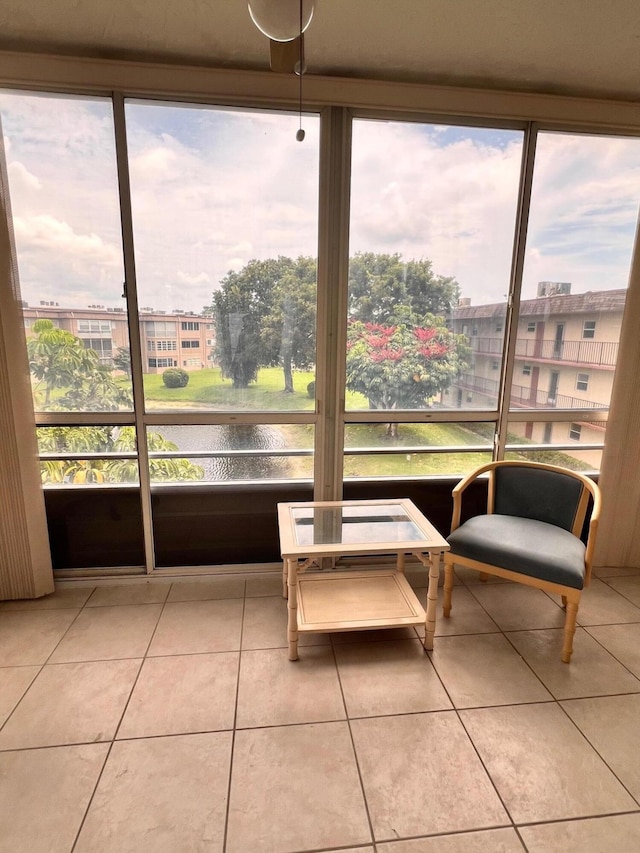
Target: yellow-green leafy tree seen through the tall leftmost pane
point(59, 361)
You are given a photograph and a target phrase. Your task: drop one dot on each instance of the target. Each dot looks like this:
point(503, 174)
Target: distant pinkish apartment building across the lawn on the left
point(169, 339)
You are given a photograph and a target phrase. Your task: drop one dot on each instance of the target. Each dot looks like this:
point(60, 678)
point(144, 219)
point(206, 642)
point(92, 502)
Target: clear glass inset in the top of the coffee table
point(354, 524)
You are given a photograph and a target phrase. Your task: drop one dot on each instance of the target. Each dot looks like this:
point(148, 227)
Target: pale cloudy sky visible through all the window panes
point(212, 189)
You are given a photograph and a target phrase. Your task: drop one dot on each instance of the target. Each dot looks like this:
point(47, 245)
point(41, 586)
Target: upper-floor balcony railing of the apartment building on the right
point(600, 353)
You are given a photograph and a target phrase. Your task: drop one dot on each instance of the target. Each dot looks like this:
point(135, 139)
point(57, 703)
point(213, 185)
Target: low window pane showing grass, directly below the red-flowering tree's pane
point(416, 450)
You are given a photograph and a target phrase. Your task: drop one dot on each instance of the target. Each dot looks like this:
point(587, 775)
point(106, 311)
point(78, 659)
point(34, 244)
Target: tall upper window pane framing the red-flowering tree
point(432, 224)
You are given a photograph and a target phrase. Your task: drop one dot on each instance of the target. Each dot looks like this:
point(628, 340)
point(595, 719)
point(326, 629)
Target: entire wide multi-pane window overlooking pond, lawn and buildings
point(223, 196)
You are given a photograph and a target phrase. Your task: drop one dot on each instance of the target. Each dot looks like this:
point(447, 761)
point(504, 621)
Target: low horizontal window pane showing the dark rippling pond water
point(227, 452)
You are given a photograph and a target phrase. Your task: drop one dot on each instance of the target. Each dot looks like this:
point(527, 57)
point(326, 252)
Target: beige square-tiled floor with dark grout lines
point(166, 717)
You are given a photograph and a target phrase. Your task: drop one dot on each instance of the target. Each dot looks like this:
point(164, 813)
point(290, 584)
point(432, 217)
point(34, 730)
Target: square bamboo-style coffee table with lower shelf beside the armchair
point(322, 598)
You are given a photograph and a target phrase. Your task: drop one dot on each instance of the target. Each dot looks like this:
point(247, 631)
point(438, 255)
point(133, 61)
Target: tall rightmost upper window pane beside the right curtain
point(584, 211)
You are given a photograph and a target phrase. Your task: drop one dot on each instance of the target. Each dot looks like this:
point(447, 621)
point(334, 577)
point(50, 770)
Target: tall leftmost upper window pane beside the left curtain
point(66, 218)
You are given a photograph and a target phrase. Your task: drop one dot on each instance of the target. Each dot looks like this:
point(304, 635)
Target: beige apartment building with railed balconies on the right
point(565, 357)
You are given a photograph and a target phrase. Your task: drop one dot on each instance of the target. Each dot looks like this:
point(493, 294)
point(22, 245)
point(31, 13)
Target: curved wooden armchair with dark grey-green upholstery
point(531, 532)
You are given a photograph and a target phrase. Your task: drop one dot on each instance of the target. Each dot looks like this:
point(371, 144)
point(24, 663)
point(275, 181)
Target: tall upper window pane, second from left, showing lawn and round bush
point(225, 227)
